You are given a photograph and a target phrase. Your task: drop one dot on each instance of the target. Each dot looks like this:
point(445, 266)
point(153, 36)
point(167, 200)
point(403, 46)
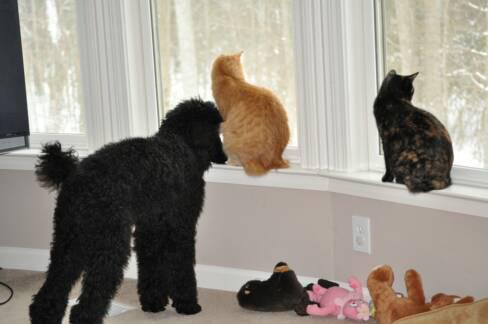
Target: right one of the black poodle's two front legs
point(181, 262)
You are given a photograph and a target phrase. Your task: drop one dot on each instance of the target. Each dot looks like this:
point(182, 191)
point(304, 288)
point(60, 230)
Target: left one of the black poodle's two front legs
point(152, 282)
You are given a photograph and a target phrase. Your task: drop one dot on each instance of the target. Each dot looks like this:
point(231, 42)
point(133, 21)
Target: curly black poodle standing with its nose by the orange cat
point(154, 184)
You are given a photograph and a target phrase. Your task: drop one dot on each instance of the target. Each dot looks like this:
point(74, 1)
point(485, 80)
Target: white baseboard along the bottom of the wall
point(208, 276)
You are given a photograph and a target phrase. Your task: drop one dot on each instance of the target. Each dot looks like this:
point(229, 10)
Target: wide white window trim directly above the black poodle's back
point(117, 69)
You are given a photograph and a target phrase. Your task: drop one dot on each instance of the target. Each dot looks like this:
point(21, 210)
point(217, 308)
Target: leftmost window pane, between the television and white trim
point(52, 67)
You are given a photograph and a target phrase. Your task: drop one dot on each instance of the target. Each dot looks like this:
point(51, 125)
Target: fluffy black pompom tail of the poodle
point(55, 166)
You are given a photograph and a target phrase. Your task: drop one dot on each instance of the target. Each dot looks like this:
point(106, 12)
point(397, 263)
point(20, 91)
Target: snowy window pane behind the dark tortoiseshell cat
point(447, 42)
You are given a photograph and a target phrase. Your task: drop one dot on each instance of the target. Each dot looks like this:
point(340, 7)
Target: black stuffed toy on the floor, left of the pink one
point(281, 292)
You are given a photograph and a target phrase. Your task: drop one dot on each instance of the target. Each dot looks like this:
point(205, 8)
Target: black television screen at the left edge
point(14, 121)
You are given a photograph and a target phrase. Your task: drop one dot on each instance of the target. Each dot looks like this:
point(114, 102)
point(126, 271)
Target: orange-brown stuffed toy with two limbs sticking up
point(389, 307)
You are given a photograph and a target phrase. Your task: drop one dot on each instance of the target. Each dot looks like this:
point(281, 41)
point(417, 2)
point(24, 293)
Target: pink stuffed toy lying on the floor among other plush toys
point(339, 301)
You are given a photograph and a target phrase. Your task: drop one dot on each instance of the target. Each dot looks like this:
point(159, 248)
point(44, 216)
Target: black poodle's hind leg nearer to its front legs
point(109, 254)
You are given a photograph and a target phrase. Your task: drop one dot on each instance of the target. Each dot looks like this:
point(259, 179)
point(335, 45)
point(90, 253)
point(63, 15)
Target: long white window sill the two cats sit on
point(457, 198)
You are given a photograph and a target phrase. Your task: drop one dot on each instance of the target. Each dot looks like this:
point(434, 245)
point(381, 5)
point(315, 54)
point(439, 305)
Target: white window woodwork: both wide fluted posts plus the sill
point(333, 154)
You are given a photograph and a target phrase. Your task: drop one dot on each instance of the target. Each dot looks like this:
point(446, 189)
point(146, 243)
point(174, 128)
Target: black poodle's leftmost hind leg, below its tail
point(49, 304)
